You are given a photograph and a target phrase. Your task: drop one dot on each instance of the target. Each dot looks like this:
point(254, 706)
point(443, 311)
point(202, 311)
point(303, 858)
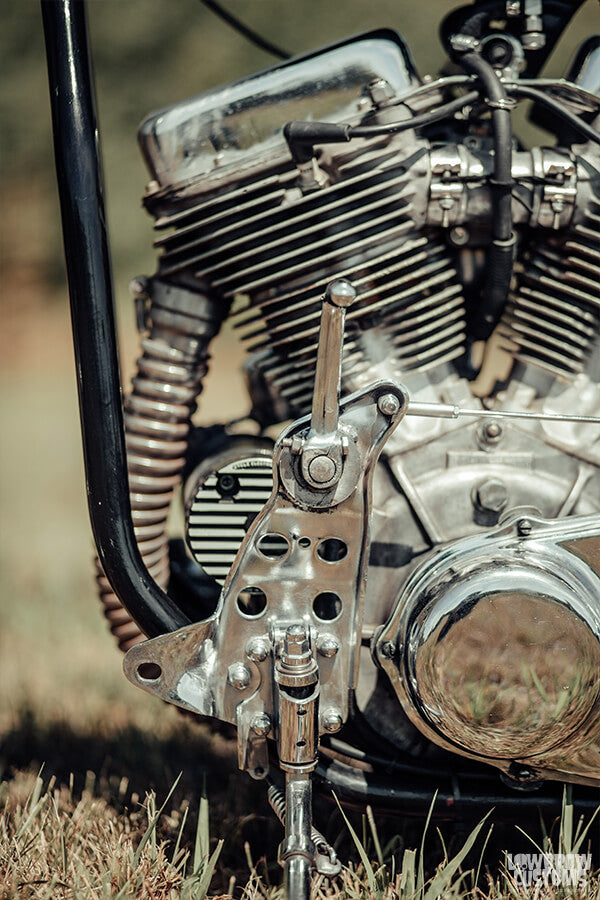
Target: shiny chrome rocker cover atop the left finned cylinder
point(242, 123)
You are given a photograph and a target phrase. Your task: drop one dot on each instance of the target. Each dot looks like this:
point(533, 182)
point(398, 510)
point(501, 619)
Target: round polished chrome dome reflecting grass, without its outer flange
point(501, 654)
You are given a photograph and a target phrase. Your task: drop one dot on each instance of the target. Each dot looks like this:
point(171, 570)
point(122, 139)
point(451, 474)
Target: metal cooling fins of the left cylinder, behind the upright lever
point(275, 250)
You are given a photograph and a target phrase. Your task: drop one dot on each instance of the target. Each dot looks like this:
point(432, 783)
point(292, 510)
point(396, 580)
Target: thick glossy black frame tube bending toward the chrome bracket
point(92, 317)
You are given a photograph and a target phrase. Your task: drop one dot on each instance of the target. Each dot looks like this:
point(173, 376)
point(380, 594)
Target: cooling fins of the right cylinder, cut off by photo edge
point(553, 317)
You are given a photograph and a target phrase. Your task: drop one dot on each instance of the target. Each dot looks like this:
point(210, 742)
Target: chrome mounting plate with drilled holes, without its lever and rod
point(314, 579)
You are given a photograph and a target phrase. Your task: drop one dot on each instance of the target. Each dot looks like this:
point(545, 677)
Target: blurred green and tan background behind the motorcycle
point(55, 655)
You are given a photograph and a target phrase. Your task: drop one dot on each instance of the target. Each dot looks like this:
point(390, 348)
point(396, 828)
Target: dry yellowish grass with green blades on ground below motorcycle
point(57, 844)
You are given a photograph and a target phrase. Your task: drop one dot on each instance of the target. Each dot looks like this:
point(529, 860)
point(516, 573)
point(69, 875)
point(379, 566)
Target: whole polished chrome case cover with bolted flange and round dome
point(497, 647)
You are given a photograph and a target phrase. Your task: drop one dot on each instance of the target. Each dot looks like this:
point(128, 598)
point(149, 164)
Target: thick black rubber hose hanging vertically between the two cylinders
point(501, 252)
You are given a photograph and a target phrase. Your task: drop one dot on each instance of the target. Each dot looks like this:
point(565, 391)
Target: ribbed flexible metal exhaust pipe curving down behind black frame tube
point(157, 421)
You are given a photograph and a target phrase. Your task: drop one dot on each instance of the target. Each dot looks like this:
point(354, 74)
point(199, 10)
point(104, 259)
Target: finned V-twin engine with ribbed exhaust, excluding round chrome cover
point(247, 231)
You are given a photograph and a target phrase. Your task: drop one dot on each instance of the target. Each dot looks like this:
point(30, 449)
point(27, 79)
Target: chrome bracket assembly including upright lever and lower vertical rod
point(279, 657)
